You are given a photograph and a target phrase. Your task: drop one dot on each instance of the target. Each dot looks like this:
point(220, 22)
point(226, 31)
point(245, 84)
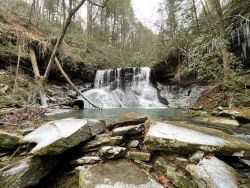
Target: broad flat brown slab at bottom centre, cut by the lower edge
point(116, 174)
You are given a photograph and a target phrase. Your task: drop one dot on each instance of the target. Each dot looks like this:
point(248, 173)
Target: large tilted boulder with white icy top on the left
point(56, 137)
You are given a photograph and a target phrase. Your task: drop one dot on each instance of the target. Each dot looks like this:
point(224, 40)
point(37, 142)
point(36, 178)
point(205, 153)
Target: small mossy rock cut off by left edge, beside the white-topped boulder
point(9, 140)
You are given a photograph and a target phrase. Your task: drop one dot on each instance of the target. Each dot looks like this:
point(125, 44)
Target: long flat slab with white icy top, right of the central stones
point(179, 137)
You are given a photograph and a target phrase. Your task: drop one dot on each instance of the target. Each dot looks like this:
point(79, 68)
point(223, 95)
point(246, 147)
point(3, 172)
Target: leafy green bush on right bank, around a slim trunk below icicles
point(208, 65)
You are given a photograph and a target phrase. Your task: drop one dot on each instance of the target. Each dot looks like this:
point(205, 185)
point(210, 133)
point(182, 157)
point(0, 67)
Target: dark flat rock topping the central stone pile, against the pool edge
point(128, 120)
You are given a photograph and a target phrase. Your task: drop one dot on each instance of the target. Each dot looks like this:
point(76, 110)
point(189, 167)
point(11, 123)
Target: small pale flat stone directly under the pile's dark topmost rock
point(128, 130)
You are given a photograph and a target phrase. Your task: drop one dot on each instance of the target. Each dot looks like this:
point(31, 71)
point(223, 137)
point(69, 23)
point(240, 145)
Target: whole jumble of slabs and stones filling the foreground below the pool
point(135, 152)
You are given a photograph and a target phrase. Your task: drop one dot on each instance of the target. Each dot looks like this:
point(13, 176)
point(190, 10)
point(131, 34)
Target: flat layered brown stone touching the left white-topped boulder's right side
point(102, 140)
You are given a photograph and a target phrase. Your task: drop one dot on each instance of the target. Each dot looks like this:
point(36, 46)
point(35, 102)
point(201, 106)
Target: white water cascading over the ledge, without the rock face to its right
point(124, 87)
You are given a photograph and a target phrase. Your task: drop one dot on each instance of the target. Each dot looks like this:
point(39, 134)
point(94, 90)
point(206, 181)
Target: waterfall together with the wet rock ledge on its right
point(132, 87)
